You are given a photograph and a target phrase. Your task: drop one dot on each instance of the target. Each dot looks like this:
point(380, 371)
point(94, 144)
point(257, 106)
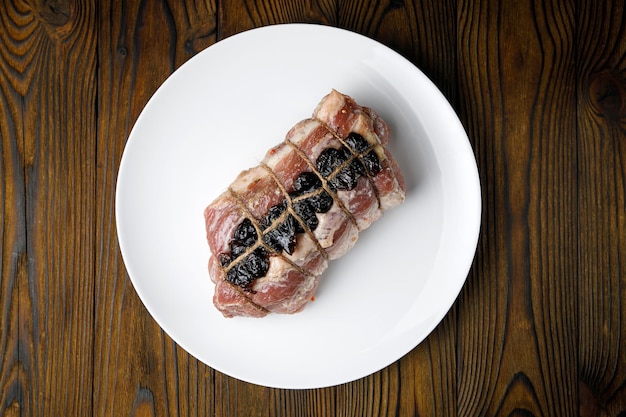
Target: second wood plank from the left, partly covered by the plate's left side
point(139, 370)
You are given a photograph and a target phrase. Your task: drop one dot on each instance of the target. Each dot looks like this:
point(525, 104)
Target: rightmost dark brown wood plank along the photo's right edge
point(602, 202)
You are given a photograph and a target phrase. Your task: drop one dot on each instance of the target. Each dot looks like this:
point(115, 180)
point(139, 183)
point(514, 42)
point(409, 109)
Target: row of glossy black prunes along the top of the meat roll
point(341, 168)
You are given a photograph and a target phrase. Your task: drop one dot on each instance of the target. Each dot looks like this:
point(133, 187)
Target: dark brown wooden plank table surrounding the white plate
point(540, 326)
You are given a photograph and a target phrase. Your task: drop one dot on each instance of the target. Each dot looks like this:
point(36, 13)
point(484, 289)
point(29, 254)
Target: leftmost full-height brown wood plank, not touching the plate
point(47, 279)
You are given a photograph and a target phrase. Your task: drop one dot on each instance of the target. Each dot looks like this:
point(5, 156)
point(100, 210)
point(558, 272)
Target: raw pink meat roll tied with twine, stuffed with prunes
point(273, 231)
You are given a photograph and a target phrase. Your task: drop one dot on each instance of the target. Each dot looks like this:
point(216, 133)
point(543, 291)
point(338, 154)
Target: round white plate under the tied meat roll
point(217, 115)
